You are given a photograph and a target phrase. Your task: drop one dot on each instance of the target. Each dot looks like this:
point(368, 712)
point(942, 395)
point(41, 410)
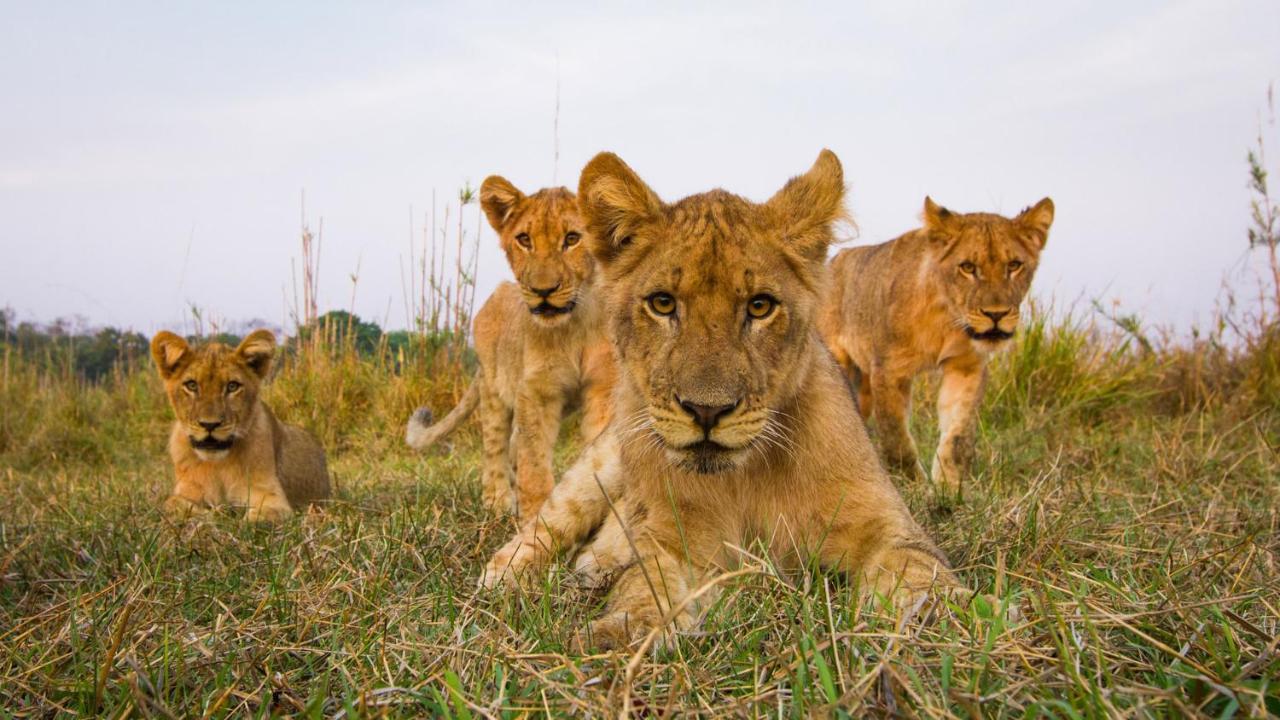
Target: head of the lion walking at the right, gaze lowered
point(985, 265)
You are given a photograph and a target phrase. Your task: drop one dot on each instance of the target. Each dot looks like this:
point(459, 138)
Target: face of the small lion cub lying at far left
point(213, 389)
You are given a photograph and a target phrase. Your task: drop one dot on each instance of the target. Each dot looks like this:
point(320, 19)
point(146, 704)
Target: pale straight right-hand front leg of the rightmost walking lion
point(959, 397)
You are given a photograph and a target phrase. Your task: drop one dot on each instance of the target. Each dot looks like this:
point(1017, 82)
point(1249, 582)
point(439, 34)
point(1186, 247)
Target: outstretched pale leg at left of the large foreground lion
point(575, 508)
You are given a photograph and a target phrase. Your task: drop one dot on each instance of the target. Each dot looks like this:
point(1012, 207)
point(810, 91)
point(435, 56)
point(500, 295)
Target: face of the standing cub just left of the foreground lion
point(542, 235)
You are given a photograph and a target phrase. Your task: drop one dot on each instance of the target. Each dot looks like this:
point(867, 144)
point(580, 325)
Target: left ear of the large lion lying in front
point(614, 202)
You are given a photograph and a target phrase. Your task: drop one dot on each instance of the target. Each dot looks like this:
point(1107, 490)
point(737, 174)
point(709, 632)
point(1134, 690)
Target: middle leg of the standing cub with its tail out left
point(538, 418)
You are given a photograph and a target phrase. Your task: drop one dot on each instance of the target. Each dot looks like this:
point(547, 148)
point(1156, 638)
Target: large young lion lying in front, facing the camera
point(734, 427)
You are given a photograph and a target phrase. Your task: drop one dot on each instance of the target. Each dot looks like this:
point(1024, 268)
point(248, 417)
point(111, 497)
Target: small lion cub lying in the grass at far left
point(227, 446)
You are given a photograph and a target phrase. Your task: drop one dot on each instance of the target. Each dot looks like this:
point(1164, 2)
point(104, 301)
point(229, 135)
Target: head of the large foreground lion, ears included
point(711, 306)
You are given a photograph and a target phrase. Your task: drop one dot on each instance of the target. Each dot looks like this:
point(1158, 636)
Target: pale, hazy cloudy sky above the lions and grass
point(154, 156)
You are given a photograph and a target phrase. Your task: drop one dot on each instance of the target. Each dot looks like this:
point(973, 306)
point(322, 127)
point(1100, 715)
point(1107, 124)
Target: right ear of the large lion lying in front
point(811, 204)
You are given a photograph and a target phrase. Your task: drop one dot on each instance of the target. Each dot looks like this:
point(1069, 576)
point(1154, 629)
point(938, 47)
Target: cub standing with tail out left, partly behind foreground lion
point(542, 348)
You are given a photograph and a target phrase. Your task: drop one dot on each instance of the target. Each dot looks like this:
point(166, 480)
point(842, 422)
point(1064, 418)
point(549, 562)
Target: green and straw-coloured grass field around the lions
point(1126, 499)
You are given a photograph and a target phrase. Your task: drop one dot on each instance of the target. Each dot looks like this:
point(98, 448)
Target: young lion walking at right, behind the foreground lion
point(944, 297)
